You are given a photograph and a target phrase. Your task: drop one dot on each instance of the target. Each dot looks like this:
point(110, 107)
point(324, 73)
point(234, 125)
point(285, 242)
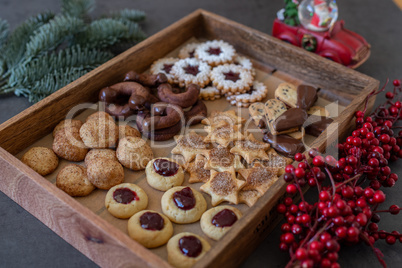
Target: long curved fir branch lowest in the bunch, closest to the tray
point(72, 57)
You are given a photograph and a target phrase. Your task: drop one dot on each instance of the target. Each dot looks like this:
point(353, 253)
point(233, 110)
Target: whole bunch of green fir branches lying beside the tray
point(48, 52)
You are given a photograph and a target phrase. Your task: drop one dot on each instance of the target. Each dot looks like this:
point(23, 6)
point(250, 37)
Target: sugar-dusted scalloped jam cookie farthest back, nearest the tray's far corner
point(215, 52)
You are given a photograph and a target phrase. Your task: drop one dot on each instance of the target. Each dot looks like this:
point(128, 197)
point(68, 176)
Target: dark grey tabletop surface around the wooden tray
point(26, 242)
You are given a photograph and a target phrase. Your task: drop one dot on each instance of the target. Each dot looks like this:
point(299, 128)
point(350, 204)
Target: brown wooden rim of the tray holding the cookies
point(255, 217)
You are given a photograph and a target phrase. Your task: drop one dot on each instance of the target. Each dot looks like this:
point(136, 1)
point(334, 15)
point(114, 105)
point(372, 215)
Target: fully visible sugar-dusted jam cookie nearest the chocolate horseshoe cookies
point(191, 71)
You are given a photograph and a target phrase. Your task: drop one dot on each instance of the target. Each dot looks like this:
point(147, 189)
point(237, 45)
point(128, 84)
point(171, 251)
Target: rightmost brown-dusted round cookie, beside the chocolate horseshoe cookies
point(134, 153)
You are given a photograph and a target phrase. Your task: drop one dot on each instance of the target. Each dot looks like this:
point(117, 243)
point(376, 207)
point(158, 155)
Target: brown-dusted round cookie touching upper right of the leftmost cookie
point(68, 145)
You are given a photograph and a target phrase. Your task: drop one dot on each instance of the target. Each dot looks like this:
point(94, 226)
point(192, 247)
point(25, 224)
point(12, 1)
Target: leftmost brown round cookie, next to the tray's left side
point(41, 159)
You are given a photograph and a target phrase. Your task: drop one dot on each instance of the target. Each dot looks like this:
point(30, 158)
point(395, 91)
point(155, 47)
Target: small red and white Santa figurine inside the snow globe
point(321, 20)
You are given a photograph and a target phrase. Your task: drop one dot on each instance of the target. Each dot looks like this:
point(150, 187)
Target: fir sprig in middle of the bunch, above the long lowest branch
point(51, 35)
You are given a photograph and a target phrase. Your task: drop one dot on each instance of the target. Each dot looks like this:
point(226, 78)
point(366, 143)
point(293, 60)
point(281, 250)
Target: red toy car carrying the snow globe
point(337, 44)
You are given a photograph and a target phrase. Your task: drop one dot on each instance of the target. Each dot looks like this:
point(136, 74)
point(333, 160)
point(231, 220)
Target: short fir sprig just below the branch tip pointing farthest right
point(103, 33)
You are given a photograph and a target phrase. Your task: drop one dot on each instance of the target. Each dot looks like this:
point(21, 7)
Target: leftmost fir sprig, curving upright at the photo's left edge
point(15, 45)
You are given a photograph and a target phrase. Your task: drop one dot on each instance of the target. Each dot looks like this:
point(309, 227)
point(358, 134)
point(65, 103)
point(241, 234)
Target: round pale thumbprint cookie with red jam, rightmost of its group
point(216, 221)
